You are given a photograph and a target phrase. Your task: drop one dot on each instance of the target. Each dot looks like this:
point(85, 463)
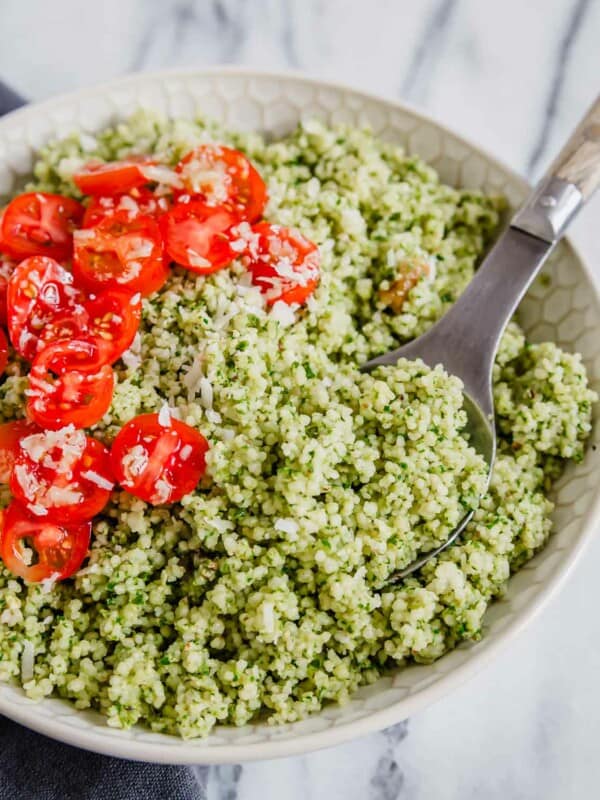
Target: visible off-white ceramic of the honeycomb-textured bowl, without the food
point(566, 311)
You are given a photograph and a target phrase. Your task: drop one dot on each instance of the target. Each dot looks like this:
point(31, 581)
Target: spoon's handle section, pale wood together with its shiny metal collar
point(570, 181)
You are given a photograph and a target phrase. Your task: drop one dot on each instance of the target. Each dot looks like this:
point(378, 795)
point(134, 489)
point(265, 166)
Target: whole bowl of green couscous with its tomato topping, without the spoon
point(239, 605)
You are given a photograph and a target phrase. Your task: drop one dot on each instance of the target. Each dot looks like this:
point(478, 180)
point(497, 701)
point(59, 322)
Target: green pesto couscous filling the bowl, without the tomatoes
point(264, 594)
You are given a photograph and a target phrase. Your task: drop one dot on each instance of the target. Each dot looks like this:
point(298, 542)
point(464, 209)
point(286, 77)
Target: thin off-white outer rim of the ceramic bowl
point(197, 751)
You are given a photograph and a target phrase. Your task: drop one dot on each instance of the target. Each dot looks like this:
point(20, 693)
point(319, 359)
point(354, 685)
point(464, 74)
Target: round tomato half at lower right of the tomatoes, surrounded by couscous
point(158, 460)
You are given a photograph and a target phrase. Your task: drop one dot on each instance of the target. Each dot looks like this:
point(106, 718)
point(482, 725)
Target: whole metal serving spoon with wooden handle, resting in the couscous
point(465, 340)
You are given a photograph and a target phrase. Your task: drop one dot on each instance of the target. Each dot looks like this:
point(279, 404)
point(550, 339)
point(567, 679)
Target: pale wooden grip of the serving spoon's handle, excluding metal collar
point(579, 160)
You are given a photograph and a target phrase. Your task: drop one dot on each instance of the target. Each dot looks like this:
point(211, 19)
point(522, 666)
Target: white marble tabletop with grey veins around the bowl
point(513, 76)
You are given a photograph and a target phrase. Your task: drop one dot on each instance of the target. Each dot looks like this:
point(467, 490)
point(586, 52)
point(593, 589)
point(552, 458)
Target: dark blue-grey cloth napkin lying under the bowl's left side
point(35, 768)
